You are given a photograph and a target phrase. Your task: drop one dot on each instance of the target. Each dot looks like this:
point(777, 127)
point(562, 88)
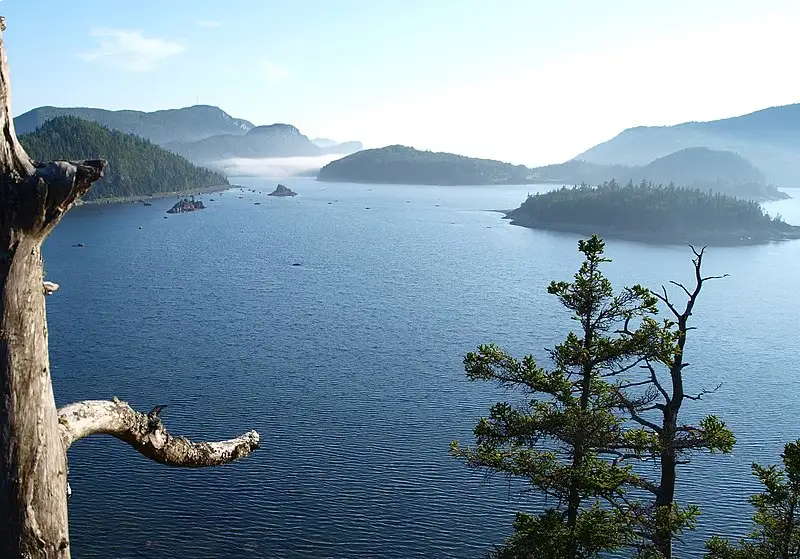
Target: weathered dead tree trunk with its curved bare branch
point(34, 436)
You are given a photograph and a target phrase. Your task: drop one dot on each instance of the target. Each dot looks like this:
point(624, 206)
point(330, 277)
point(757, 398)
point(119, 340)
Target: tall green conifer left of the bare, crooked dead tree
point(568, 437)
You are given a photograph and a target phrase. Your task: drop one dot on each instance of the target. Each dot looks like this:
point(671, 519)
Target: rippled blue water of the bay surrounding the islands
point(349, 365)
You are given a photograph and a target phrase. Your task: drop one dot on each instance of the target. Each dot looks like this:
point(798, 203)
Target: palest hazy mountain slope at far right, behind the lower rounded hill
point(768, 138)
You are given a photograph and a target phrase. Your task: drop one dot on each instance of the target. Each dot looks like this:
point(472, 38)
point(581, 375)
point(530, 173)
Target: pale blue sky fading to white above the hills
point(525, 81)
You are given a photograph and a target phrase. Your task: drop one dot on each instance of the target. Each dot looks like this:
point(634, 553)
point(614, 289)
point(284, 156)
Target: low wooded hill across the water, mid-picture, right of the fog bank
point(405, 165)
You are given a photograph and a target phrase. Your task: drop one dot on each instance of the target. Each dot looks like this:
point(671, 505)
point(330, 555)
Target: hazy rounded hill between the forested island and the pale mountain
point(703, 168)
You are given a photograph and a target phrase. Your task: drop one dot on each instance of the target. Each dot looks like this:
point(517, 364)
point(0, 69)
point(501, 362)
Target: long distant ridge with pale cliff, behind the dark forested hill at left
point(160, 127)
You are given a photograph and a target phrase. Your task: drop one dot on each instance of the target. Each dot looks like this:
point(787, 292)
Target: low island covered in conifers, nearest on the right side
point(652, 213)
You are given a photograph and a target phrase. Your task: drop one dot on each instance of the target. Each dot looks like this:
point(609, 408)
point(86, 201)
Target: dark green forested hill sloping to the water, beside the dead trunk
point(136, 166)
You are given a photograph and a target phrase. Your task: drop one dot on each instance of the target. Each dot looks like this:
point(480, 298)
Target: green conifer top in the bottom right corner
point(777, 514)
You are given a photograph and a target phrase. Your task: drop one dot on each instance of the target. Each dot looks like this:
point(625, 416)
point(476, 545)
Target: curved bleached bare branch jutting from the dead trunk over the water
point(147, 434)
